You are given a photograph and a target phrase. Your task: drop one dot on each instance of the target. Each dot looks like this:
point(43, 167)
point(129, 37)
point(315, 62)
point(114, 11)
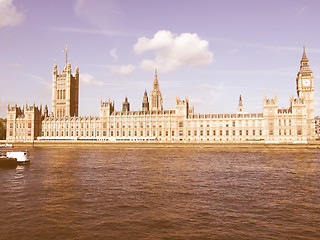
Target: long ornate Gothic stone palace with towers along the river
point(295, 124)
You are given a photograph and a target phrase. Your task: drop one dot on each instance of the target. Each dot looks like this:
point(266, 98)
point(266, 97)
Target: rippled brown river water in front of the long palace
point(162, 193)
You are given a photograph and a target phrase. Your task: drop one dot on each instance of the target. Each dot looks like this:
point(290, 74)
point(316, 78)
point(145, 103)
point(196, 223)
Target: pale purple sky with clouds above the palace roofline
point(210, 51)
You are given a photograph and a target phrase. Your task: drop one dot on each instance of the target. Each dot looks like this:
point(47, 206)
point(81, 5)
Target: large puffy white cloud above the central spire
point(173, 52)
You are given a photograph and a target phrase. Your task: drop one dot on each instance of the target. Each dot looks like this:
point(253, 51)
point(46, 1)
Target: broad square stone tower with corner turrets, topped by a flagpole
point(65, 91)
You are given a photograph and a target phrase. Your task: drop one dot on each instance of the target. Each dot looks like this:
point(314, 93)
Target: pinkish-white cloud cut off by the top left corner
point(9, 16)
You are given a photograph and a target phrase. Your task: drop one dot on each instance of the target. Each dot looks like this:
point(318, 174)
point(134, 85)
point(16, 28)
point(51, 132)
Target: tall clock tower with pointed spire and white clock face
point(305, 90)
